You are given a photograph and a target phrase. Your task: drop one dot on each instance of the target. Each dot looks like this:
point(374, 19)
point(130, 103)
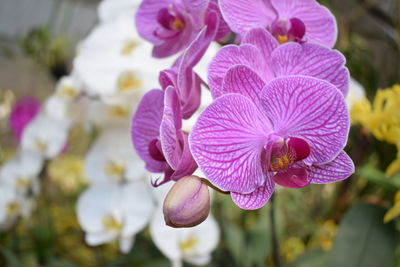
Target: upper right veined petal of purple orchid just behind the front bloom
point(311, 60)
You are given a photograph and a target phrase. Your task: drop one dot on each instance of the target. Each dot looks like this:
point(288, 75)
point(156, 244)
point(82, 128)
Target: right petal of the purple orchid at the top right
point(320, 24)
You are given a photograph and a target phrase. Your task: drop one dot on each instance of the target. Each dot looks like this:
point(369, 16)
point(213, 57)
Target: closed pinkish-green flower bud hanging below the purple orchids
point(187, 204)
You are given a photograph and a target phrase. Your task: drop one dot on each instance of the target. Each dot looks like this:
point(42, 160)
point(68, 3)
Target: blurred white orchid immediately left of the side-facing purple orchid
point(112, 158)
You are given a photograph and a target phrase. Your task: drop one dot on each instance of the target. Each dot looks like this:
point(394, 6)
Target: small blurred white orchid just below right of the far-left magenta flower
point(45, 135)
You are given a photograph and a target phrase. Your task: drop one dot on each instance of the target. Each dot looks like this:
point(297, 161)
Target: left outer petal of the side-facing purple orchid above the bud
point(146, 127)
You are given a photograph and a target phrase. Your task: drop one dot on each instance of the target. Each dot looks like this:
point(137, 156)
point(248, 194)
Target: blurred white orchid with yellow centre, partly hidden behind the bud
point(193, 245)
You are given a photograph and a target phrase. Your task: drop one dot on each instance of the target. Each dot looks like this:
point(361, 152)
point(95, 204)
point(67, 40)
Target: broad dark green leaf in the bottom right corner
point(363, 239)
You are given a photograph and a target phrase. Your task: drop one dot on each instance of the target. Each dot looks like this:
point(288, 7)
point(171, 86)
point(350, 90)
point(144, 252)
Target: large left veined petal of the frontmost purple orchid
point(227, 142)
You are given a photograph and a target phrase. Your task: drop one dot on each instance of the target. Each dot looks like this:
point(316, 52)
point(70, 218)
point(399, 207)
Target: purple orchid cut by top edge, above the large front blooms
point(287, 20)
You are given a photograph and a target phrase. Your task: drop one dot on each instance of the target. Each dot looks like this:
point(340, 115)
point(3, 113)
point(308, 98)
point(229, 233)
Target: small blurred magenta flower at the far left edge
point(23, 112)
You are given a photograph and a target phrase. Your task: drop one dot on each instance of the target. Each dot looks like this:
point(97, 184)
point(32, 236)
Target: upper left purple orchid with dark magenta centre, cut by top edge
point(171, 25)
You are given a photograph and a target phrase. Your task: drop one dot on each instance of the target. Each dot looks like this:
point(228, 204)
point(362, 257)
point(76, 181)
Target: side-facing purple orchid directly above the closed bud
point(158, 138)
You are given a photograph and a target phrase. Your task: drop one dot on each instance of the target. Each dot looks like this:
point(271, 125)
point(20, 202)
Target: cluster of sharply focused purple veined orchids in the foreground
point(278, 114)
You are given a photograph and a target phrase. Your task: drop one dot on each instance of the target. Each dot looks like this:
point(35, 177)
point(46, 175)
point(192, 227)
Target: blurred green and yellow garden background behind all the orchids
point(339, 224)
